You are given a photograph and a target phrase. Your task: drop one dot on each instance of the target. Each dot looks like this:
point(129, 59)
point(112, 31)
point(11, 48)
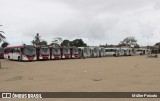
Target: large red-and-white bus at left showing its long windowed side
point(21, 53)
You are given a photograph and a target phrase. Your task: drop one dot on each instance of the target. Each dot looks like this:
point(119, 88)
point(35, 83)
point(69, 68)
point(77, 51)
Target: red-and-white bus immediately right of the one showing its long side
point(43, 52)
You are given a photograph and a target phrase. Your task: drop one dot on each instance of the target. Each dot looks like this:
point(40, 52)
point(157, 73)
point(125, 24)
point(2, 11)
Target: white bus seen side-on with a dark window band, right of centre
point(112, 52)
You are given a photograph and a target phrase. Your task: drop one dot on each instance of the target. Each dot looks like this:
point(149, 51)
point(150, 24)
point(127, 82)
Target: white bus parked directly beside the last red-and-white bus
point(84, 52)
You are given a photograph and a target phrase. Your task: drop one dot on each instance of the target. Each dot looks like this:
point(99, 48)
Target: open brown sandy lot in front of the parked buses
point(108, 74)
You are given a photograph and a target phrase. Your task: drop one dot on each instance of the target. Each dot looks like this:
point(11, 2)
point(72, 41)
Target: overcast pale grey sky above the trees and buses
point(95, 21)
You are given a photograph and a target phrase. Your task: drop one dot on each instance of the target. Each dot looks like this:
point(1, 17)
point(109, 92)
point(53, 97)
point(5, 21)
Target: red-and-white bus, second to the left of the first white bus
point(65, 52)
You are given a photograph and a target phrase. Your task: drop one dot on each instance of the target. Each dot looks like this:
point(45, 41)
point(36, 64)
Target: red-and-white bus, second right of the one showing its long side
point(55, 53)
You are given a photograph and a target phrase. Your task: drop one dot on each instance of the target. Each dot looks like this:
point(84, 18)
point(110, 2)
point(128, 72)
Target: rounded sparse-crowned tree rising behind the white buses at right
point(129, 41)
